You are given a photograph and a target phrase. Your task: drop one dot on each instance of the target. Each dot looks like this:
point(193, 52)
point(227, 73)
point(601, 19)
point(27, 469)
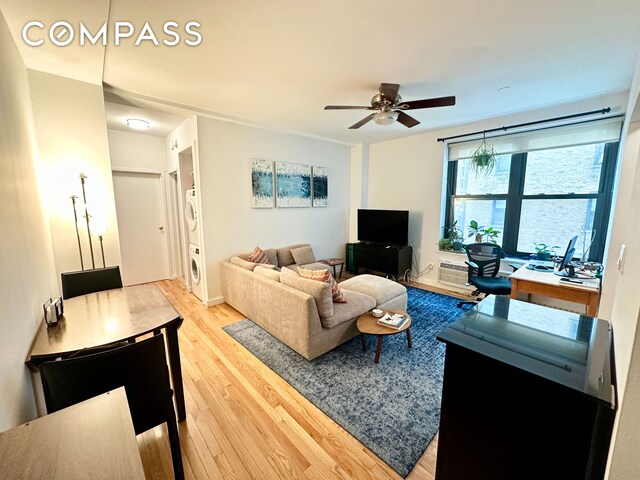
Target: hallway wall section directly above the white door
point(130, 150)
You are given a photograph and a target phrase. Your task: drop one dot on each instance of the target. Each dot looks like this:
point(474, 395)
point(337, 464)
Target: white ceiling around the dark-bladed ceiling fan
point(278, 63)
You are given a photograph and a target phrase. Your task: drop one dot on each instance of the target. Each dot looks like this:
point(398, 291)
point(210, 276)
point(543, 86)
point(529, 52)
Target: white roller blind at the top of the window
point(600, 131)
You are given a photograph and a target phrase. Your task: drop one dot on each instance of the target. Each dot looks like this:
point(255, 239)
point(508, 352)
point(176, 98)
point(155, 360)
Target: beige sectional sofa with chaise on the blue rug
point(301, 312)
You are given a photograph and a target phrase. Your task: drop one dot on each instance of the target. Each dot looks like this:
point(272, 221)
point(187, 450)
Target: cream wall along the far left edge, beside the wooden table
point(26, 261)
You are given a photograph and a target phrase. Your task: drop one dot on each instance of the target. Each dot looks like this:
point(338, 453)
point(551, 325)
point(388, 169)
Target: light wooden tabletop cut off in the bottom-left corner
point(93, 439)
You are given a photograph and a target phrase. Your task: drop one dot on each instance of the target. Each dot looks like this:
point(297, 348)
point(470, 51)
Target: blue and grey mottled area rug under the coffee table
point(392, 407)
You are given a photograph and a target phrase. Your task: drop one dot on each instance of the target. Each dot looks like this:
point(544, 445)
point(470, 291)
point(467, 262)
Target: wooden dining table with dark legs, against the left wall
point(111, 316)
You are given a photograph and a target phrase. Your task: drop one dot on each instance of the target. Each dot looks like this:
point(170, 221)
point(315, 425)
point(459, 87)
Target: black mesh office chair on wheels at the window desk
point(484, 265)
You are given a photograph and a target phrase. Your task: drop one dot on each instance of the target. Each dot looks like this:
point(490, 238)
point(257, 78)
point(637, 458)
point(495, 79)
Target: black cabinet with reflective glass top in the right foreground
point(528, 393)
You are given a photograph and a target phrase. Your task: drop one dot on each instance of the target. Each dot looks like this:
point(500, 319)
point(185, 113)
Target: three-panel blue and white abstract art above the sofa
point(287, 185)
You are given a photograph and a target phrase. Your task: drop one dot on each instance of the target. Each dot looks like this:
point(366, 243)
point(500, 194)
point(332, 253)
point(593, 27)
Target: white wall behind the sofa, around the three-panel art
point(231, 226)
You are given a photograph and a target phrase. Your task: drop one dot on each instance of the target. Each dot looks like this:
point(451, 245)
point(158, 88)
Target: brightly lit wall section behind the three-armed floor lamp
point(72, 138)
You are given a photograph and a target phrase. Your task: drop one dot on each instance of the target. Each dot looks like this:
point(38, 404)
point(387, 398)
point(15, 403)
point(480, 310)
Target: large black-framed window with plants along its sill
point(538, 194)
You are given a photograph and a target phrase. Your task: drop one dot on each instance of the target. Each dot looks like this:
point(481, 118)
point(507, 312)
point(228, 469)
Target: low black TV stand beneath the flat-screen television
point(390, 259)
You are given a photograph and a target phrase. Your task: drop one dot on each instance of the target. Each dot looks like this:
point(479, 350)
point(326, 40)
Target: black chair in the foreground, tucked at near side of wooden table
point(140, 367)
